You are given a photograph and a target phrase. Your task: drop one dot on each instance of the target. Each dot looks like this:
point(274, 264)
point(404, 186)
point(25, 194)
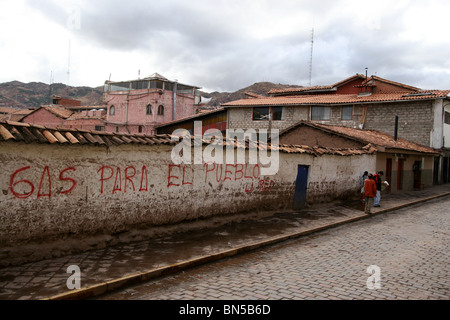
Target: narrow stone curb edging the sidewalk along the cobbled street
point(104, 287)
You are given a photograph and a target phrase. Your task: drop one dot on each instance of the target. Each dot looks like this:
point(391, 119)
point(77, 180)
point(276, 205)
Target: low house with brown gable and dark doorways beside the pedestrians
point(406, 165)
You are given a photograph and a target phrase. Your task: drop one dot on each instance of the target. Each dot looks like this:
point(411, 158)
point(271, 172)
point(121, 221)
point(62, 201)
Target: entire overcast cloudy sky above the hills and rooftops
point(224, 45)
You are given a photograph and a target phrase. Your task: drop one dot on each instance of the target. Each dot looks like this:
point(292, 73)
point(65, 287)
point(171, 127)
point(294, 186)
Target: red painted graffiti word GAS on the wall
point(45, 183)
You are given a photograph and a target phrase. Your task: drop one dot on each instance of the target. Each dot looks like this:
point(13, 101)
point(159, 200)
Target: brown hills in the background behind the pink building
point(16, 94)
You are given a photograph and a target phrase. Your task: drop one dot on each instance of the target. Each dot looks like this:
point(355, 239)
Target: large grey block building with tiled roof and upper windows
point(372, 103)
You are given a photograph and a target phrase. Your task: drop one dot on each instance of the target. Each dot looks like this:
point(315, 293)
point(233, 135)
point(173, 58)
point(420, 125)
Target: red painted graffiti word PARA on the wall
point(128, 182)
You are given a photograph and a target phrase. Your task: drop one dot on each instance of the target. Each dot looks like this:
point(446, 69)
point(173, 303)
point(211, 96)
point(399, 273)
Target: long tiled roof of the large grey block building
point(339, 99)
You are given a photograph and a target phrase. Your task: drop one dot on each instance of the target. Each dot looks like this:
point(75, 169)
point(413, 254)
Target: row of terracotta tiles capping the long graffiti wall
point(28, 133)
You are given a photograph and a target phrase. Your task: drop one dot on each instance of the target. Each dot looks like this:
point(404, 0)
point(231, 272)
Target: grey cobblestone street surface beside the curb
point(409, 246)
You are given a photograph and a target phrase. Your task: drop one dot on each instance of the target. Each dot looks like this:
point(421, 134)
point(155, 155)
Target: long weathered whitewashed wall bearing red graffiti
point(59, 199)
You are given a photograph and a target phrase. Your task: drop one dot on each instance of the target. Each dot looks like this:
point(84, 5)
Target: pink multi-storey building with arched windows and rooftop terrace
point(138, 106)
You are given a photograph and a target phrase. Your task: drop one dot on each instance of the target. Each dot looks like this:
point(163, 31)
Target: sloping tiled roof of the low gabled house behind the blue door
point(375, 138)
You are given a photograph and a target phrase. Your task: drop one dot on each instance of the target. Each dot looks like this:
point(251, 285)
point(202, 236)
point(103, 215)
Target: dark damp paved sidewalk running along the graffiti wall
point(114, 267)
